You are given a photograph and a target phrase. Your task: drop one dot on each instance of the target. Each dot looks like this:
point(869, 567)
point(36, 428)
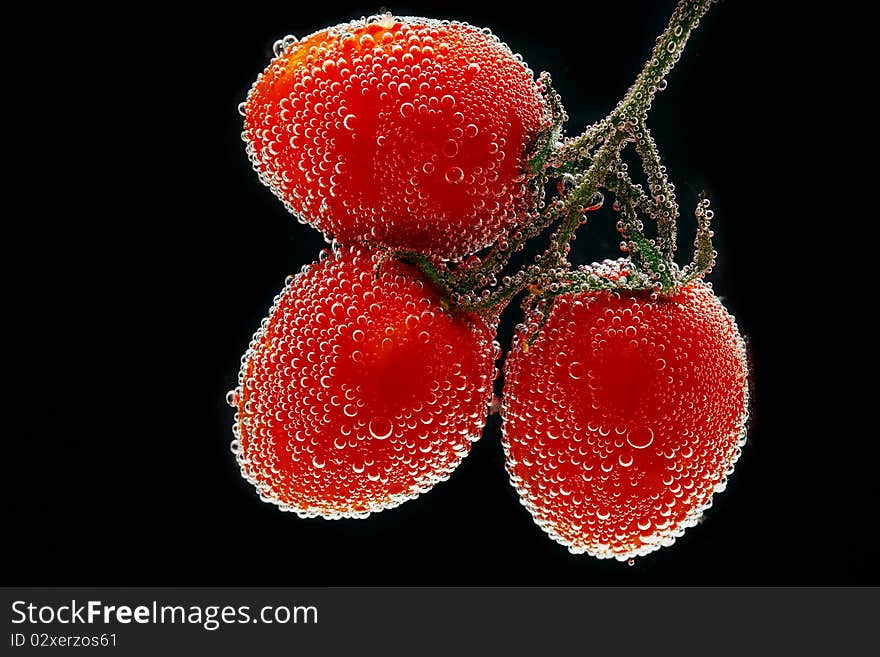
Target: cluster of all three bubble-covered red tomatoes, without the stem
point(409, 141)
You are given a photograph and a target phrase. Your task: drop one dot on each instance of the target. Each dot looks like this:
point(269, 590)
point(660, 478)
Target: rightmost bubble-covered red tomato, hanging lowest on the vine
point(624, 417)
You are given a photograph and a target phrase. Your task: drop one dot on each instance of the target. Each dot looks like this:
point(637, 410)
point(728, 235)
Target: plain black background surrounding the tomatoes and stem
point(147, 253)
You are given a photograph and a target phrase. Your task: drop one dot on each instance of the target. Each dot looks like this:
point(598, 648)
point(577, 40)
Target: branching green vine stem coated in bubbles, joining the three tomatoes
point(594, 159)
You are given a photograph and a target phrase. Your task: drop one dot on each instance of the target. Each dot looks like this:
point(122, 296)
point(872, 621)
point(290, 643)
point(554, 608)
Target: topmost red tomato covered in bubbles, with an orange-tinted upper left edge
point(409, 133)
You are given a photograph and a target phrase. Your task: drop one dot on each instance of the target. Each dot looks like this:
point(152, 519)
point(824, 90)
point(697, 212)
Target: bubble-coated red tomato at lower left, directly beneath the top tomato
point(360, 390)
